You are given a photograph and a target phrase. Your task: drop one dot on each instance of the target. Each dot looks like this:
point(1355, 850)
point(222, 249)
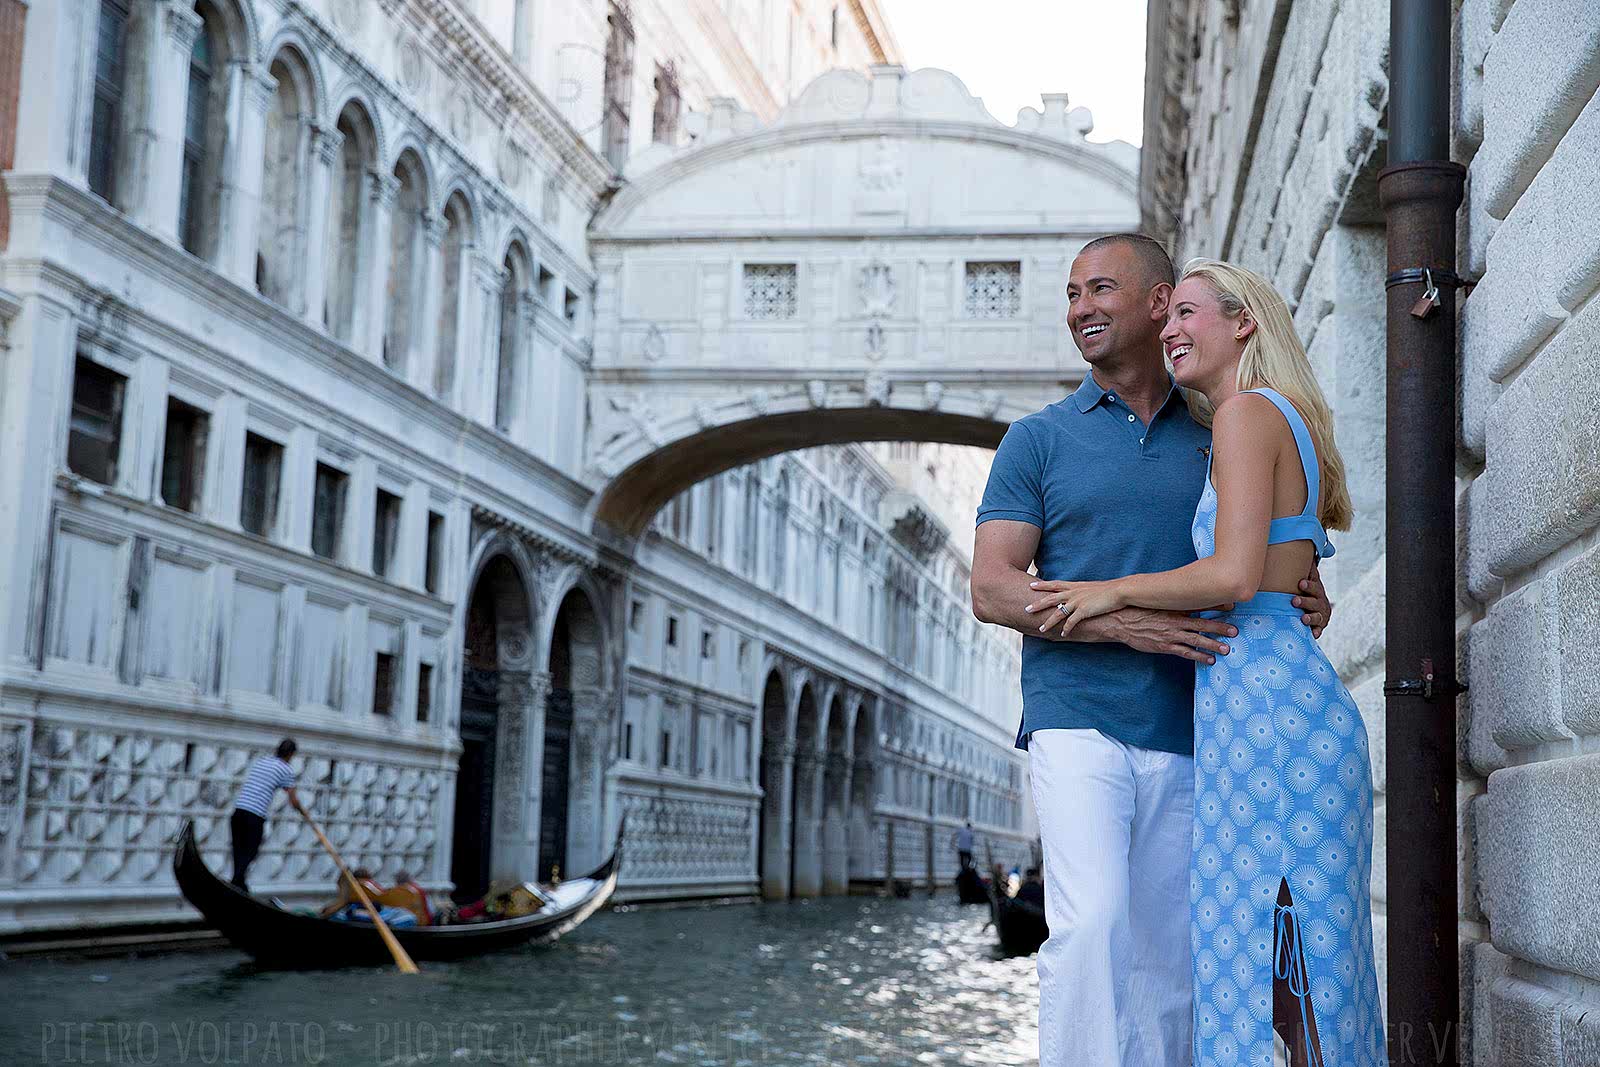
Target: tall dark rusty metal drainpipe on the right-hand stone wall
point(1420, 193)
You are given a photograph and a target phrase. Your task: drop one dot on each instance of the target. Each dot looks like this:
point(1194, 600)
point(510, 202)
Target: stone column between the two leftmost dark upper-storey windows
point(162, 134)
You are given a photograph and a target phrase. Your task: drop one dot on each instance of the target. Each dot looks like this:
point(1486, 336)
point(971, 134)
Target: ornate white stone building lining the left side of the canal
point(300, 324)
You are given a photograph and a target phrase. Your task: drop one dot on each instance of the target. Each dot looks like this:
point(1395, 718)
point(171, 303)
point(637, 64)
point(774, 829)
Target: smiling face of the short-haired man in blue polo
point(1111, 306)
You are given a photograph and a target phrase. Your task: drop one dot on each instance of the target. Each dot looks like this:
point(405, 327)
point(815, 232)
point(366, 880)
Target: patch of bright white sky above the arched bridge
point(1009, 52)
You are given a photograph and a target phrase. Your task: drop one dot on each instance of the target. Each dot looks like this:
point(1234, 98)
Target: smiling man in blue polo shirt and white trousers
point(1100, 486)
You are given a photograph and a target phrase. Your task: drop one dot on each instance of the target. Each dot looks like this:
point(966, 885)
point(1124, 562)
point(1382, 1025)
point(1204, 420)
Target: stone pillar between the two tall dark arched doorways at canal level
point(518, 765)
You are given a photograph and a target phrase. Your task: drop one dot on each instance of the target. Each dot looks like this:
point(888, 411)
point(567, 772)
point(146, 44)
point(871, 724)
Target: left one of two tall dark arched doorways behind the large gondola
point(490, 820)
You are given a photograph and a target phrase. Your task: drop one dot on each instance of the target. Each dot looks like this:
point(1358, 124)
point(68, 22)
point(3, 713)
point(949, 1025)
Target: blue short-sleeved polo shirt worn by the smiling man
point(1111, 497)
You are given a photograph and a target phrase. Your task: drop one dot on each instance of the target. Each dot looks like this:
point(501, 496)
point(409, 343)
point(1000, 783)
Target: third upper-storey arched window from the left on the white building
point(287, 153)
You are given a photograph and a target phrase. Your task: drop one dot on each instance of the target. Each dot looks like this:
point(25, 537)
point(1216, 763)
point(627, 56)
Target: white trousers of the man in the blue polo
point(1114, 977)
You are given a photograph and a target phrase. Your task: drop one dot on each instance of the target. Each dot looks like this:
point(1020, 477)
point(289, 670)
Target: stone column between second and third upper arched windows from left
point(250, 95)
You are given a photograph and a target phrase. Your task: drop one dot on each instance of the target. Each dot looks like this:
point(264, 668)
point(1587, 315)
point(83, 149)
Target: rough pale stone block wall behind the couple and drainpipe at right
point(1265, 135)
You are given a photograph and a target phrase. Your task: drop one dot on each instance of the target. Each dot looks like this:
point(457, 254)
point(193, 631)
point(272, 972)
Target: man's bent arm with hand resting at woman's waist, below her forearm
point(1002, 553)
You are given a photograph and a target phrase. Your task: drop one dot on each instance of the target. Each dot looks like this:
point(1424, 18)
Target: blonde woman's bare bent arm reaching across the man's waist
point(1247, 444)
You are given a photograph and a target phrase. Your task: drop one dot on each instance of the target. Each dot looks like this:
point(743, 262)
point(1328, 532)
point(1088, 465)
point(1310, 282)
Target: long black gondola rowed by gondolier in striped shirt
point(289, 940)
